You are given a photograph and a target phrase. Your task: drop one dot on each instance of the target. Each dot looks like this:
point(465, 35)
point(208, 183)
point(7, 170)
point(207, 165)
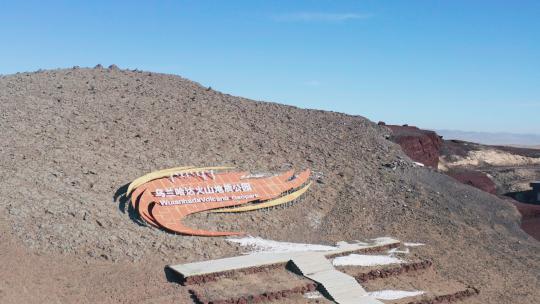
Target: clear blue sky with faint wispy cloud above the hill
point(468, 65)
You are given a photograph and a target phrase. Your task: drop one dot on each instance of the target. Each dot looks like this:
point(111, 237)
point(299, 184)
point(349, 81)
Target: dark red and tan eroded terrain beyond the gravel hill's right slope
point(505, 171)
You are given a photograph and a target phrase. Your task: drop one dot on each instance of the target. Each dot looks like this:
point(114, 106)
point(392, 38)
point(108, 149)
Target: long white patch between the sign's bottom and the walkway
point(258, 244)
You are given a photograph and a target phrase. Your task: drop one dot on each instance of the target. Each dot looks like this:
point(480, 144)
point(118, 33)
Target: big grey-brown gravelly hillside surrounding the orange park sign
point(73, 138)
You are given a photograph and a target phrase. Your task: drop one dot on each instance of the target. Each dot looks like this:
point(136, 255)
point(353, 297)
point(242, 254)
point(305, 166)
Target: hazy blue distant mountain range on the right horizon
point(487, 138)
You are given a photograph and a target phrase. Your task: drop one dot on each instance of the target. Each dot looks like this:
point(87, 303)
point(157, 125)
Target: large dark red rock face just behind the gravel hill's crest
point(422, 146)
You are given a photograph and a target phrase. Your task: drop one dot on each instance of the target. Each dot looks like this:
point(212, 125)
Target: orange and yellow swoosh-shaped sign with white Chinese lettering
point(165, 197)
